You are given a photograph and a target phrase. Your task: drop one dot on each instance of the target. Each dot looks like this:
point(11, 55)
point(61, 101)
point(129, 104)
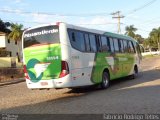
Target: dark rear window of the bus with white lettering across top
point(42, 35)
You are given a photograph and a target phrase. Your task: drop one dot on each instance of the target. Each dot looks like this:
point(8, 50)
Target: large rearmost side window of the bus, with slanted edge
point(77, 40)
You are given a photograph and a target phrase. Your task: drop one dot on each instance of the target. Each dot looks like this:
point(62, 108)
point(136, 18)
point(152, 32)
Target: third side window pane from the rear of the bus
point(93, 43)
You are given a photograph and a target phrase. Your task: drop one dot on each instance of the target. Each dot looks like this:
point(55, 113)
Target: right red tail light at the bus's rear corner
point(64, 69)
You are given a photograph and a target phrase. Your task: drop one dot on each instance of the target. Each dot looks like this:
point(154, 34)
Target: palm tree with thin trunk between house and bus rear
point(16, 35)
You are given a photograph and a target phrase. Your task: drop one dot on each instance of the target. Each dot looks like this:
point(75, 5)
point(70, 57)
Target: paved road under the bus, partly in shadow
point(140, 95)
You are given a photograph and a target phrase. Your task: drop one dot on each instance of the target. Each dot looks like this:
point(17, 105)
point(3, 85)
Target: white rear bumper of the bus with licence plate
point(53, 83)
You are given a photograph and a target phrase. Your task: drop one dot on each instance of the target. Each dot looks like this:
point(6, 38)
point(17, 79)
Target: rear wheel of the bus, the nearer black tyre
point(105, 80)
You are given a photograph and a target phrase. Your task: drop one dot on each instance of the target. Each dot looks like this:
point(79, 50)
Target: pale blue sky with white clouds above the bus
point(96, 14)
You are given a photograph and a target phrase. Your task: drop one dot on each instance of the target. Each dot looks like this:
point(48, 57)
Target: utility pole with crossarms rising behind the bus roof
point(116, 15)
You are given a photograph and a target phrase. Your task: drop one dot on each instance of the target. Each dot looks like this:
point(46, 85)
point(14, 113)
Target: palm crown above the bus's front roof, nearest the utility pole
point(130, 31)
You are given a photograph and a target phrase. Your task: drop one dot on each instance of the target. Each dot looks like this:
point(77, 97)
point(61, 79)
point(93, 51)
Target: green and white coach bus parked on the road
point(62, 55)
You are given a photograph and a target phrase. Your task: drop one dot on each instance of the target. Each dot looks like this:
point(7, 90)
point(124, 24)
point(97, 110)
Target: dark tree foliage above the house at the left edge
point(4, 27)
